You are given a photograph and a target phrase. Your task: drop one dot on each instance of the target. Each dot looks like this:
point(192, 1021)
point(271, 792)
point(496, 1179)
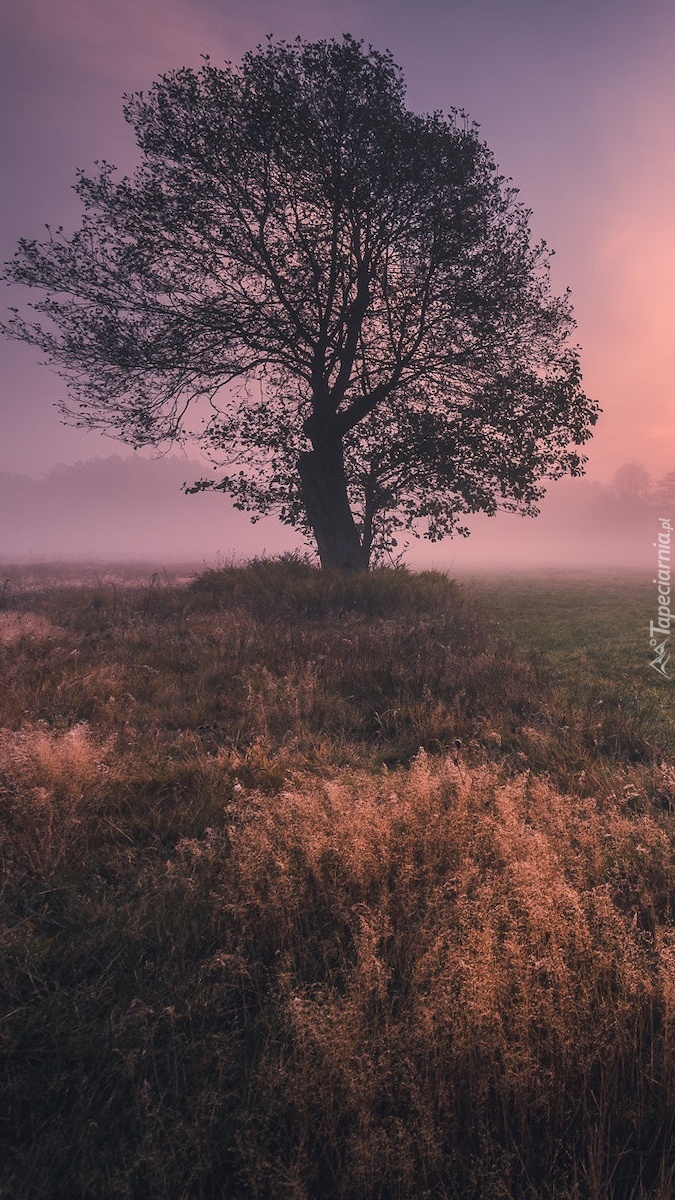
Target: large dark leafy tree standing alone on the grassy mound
point(353, 289)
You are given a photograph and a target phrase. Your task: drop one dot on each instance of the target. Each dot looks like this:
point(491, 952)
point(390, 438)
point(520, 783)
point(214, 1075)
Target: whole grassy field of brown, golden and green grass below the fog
point(336, 890)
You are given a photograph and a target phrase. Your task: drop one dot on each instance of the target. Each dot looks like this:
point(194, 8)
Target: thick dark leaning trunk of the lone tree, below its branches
point(327, 505)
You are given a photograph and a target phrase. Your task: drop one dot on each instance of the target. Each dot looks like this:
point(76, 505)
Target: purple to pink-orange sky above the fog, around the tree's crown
point(577, 101)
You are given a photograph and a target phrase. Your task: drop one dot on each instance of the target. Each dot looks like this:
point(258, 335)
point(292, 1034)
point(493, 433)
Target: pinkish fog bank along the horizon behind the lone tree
point(133, 509)
